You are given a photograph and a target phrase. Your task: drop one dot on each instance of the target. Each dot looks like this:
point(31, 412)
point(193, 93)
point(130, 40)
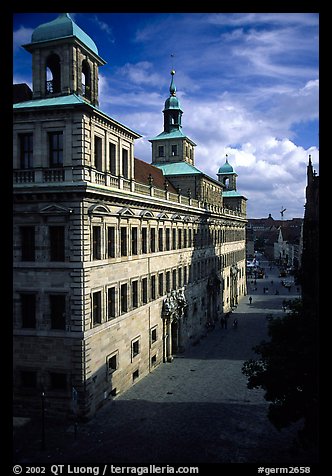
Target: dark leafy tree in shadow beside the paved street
point(287, 370)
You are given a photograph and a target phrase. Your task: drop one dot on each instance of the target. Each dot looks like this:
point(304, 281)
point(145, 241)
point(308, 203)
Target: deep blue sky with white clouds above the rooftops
point(247, 83)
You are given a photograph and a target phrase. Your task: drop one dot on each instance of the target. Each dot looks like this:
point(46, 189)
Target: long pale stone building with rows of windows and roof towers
point(115, 269)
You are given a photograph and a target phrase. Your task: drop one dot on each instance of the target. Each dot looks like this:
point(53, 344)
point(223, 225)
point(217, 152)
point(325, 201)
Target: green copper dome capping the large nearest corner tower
point(63, 26)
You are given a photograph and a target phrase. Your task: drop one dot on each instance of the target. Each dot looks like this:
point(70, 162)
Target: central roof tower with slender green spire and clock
point(172, 145)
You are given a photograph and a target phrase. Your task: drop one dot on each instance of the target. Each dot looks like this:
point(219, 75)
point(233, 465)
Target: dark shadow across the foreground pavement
point(145, 432)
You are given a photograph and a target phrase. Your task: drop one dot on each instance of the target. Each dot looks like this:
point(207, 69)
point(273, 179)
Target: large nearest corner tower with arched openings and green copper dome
point(65, 60)
